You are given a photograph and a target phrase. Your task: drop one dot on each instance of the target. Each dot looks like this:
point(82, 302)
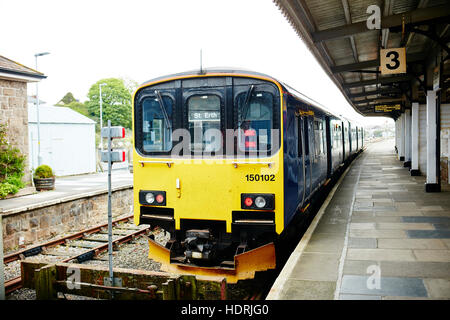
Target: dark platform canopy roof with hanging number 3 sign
point(344, 37)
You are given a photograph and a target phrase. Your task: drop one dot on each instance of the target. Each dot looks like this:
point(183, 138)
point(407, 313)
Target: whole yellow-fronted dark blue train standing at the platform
point(223, 162)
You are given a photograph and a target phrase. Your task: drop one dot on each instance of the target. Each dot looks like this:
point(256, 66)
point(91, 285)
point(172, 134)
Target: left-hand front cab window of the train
point(157, 124)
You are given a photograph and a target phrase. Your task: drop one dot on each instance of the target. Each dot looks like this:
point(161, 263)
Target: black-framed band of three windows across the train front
point(239, 118)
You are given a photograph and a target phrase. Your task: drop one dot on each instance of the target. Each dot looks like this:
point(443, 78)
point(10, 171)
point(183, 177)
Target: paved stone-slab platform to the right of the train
point(380, 236)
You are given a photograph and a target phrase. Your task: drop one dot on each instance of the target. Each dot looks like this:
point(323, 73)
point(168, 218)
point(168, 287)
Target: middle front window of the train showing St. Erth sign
point(204, 123)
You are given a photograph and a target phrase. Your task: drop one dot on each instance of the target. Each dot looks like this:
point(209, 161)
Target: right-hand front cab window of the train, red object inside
point(256, 109)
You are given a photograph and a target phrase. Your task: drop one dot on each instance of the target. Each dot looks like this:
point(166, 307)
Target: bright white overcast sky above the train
point(140, 40)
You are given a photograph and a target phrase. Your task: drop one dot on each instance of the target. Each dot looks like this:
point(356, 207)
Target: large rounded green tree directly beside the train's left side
point(116, 102)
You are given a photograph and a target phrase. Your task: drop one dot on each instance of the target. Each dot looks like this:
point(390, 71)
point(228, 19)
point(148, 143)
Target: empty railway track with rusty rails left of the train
point(81, 246)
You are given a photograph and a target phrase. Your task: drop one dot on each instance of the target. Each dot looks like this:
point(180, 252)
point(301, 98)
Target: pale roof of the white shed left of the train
point(57, 115)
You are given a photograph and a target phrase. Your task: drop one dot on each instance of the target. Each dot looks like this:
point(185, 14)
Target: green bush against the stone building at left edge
point(12, 165)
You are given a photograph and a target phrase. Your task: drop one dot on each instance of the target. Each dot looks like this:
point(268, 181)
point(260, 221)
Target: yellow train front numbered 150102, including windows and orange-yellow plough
point(208, 169)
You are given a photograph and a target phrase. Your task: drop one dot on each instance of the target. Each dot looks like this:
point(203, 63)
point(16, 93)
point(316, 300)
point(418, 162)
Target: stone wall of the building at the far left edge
point(14, 112)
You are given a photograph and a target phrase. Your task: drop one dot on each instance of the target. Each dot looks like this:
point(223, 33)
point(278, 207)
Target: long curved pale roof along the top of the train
point(239, 71)
